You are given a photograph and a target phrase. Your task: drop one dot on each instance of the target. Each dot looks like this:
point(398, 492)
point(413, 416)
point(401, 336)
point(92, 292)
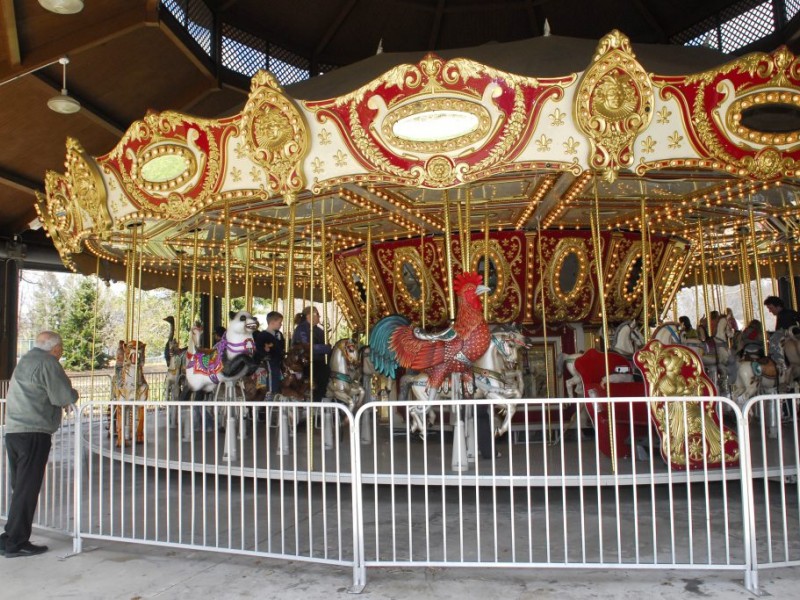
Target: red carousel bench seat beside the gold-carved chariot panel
point(630, 419)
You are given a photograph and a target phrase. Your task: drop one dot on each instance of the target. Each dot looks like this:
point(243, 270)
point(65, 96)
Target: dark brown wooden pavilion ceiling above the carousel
point(131, 56)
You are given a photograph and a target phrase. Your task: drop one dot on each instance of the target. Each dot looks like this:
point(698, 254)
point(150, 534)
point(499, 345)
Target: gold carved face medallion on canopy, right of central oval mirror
point(614, 105)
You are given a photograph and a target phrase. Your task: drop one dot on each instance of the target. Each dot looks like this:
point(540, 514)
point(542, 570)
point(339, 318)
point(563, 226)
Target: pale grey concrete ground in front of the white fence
point(110, 570)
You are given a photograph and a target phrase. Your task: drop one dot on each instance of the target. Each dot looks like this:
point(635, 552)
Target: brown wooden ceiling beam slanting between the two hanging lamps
point(84, 39)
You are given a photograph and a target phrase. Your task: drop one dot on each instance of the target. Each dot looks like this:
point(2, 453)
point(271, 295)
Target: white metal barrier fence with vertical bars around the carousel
point(313, 482)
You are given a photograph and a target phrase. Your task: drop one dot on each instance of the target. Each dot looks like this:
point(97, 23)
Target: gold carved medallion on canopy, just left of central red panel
point(277, 136)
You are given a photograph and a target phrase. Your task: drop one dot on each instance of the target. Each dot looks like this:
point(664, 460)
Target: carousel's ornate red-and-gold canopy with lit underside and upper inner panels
point(614, 169)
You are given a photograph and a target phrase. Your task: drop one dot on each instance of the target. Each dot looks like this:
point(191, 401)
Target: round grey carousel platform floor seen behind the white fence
point(529, 458)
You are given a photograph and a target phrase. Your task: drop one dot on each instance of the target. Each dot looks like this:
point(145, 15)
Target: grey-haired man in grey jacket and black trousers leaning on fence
point(38, 392)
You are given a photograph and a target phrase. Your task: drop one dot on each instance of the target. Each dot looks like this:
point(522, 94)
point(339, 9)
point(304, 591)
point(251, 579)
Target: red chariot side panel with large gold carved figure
point(689, 430)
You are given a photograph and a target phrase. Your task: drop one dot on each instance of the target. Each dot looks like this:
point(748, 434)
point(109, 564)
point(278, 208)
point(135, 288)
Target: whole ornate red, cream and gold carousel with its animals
point(486, 234)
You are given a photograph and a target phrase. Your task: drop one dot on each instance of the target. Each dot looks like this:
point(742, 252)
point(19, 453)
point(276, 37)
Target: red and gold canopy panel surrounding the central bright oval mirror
point(502, 108)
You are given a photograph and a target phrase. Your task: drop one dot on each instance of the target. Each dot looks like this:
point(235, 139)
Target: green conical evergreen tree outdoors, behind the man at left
point(79, 330)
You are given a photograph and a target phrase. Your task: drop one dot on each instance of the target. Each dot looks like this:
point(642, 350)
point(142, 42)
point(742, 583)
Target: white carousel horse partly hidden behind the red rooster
point(494, 376)
